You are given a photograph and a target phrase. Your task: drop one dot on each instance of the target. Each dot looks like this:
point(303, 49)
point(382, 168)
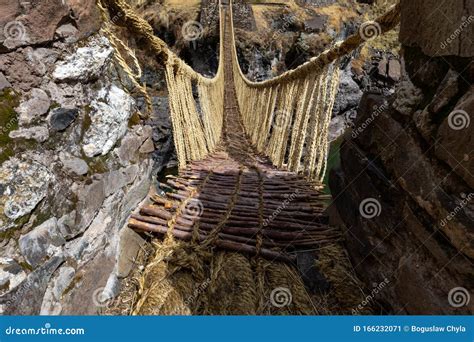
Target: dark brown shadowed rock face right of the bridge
point(404, 191)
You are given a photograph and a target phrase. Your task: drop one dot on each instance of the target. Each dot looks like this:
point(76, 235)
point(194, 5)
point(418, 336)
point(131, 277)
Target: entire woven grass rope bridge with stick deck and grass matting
point(247, 202)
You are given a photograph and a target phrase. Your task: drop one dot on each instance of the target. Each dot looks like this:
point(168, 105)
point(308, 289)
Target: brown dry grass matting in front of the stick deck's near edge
point(181, 279)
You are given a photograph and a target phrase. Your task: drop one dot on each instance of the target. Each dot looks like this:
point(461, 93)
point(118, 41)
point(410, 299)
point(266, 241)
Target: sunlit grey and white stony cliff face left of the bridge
point(75, 159)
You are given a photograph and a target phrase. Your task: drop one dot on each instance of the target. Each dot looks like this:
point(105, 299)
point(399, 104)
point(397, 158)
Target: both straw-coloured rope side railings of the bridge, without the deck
point(286, 117)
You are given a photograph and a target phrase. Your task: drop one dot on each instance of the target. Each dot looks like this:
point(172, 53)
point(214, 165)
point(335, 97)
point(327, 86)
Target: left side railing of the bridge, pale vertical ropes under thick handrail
point(197, 123)
